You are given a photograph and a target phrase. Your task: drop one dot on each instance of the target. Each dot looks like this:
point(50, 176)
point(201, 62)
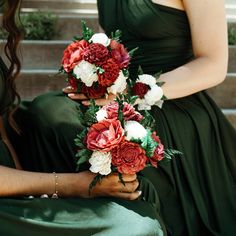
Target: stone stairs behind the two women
point(41, 59)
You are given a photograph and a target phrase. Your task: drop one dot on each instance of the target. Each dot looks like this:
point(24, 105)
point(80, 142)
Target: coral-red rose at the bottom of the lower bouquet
point(129, 158)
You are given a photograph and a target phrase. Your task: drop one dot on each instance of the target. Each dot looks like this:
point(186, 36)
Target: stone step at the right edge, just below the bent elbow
point(225, 93)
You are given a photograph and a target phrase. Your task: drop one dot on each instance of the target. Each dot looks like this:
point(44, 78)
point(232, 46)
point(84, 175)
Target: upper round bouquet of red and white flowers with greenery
point(95, 64)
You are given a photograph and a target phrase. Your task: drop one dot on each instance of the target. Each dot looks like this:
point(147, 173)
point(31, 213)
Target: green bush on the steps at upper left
point(36, 26)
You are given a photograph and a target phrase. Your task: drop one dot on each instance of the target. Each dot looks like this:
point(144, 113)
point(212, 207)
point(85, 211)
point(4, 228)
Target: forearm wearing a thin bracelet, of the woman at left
point(24, 183)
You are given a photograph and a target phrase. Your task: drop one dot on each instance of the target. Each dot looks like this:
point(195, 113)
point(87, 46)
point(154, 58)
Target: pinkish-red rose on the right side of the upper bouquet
point(119, 54)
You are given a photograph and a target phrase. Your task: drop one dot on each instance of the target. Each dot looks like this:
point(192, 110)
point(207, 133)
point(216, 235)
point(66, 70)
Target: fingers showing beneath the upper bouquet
point(72, 94)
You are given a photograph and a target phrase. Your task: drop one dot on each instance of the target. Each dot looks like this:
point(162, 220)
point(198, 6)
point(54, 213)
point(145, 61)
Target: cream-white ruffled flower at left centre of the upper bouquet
point(86, 72)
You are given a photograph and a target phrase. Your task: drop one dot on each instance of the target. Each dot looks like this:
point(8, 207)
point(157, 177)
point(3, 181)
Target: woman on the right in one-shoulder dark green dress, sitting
point(198, 191)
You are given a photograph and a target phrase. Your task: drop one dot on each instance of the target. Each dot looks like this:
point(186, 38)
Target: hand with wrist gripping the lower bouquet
point(109, 186)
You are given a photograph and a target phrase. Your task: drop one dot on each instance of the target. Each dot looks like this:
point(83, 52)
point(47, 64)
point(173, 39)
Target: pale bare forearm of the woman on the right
point(197, 75)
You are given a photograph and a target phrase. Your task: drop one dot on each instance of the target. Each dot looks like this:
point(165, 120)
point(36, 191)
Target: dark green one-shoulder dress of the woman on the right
point(197, 191)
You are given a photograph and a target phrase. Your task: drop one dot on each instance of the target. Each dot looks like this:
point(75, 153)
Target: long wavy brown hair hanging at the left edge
point(11, 24)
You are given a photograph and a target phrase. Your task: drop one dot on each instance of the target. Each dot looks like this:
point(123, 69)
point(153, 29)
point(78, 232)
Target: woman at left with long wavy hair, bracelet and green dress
point(74, 212)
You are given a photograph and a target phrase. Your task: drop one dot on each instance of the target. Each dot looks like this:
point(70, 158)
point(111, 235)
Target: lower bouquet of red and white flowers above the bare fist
point(117, 138)
